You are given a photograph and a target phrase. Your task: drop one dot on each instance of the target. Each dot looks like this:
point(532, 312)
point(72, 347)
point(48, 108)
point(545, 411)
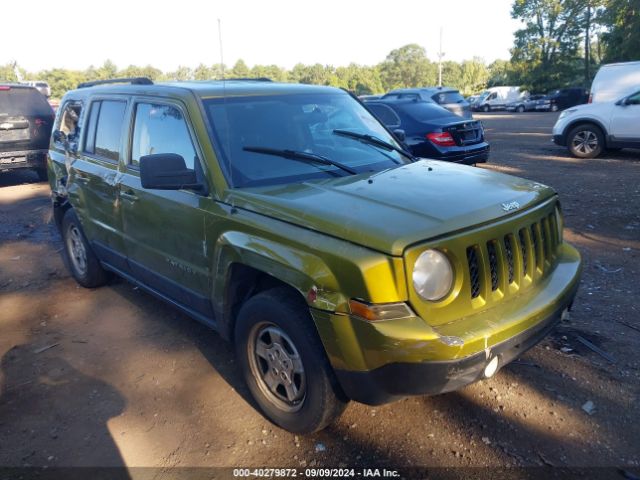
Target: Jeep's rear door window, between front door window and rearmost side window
point(108, 131)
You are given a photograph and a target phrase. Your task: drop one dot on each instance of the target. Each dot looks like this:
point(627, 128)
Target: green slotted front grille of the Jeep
point(513, 257)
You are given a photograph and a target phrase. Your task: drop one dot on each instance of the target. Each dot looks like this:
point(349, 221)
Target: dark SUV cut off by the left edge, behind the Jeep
point(26, 120)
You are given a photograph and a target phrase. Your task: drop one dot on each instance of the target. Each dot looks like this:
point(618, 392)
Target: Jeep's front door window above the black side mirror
point(161, 129)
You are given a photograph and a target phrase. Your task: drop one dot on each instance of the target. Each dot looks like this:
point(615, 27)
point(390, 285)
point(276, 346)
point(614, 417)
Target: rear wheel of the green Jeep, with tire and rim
point(81, 261)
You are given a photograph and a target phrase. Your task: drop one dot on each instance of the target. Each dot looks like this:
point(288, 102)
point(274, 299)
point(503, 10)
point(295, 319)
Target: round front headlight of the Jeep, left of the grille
point(432, 275)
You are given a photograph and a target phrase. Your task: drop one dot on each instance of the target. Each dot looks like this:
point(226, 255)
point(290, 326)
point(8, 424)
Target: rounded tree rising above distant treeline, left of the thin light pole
point(407, 66)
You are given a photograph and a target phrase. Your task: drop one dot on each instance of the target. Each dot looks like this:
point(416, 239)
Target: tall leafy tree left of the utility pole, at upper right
point(546, 51)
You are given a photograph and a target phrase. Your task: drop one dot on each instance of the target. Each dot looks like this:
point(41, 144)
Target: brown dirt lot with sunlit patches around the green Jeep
point(113, 376)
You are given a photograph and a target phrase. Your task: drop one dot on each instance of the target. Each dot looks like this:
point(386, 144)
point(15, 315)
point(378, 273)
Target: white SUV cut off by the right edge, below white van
point(586, 130)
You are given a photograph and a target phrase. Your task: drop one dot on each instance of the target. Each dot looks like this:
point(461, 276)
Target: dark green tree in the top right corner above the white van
point(621, 41)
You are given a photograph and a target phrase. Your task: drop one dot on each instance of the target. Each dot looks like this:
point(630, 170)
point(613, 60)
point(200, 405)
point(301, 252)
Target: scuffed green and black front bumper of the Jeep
point(378, 362)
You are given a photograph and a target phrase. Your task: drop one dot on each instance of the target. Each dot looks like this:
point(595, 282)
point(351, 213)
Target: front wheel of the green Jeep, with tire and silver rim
point(278, 324)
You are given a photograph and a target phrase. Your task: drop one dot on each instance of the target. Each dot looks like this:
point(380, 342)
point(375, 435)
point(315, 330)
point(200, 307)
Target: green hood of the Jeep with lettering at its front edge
point(396, 208)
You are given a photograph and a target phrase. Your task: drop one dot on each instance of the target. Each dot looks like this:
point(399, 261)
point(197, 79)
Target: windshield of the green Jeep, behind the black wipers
point(298, 124)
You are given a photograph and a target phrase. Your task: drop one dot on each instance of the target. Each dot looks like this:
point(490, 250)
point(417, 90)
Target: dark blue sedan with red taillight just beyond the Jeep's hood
point(430, 131)
